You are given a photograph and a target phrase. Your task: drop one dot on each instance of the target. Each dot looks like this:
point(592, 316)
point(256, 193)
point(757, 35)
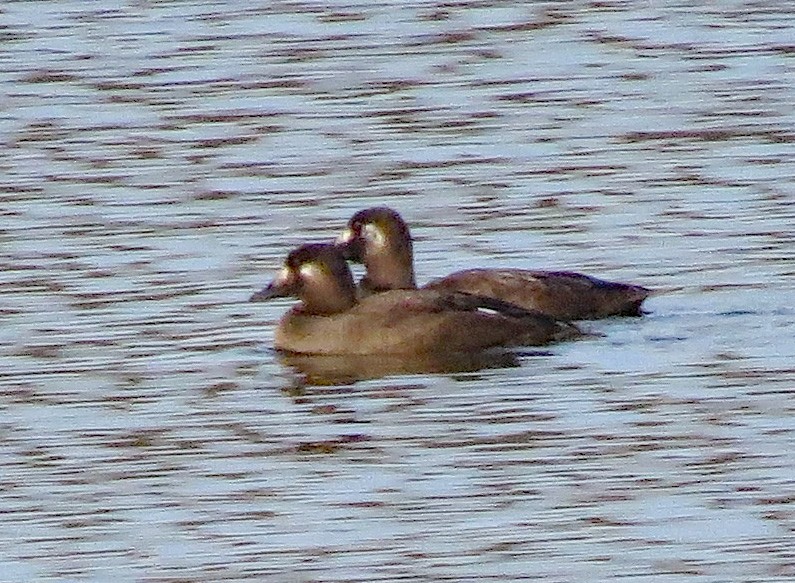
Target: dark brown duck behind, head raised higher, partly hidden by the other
point(379, 238)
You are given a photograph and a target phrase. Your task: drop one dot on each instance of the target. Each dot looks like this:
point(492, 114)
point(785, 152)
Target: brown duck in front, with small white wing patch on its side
point(331, 320)
